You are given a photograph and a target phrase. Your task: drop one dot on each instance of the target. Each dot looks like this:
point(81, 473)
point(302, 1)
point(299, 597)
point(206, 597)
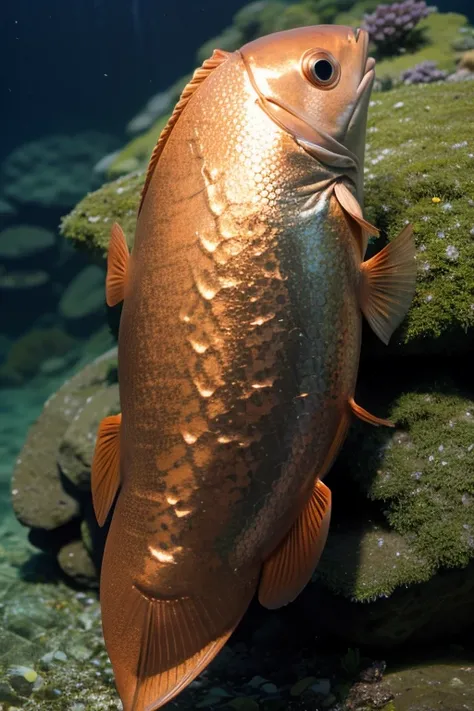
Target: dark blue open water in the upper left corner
point(70, 65)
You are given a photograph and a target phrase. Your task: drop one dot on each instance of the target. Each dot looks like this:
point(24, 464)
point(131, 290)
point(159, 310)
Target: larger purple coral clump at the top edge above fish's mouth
point(390, 26)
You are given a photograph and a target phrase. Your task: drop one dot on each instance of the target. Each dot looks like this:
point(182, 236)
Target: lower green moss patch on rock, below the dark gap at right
point(425, 473)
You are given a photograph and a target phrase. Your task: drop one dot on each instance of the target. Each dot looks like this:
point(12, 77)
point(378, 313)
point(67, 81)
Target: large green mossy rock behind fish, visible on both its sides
point(404, 182)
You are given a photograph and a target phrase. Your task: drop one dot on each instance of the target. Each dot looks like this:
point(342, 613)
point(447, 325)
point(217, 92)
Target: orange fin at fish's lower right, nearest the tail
point(290, 567)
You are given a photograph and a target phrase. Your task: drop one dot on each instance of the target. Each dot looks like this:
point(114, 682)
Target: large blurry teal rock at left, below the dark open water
point(54, 171)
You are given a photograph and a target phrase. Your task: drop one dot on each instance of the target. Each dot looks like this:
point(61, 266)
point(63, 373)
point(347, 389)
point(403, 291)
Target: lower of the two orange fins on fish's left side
point(105, 471)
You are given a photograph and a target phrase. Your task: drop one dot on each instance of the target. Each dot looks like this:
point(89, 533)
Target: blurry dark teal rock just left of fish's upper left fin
point(83, 303)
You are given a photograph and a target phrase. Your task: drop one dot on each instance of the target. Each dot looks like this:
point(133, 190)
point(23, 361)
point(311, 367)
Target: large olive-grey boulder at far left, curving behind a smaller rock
point(40, 499)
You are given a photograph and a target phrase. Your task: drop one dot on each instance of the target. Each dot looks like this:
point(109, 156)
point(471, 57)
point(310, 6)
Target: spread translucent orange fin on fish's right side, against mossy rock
point(388, 284)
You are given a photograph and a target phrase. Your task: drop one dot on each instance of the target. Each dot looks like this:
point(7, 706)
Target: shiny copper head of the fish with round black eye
point(315, 83)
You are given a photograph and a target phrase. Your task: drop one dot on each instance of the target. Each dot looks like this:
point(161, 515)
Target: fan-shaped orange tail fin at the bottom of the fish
point(178, 638)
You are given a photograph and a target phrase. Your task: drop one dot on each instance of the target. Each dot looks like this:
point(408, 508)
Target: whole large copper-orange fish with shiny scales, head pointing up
point(239, 349)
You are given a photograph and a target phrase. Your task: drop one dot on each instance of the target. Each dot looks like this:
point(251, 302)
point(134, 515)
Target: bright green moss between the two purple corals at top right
point(440, 30)
